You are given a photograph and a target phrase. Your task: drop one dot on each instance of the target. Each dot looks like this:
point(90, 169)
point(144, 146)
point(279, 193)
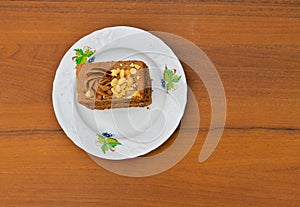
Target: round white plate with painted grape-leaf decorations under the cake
point(137, 130)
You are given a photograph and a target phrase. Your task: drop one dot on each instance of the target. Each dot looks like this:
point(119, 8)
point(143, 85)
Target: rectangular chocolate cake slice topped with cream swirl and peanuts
point(115, 84)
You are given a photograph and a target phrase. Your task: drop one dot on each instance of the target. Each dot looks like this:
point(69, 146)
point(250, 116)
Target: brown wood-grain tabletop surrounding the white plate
point(255, 46)
